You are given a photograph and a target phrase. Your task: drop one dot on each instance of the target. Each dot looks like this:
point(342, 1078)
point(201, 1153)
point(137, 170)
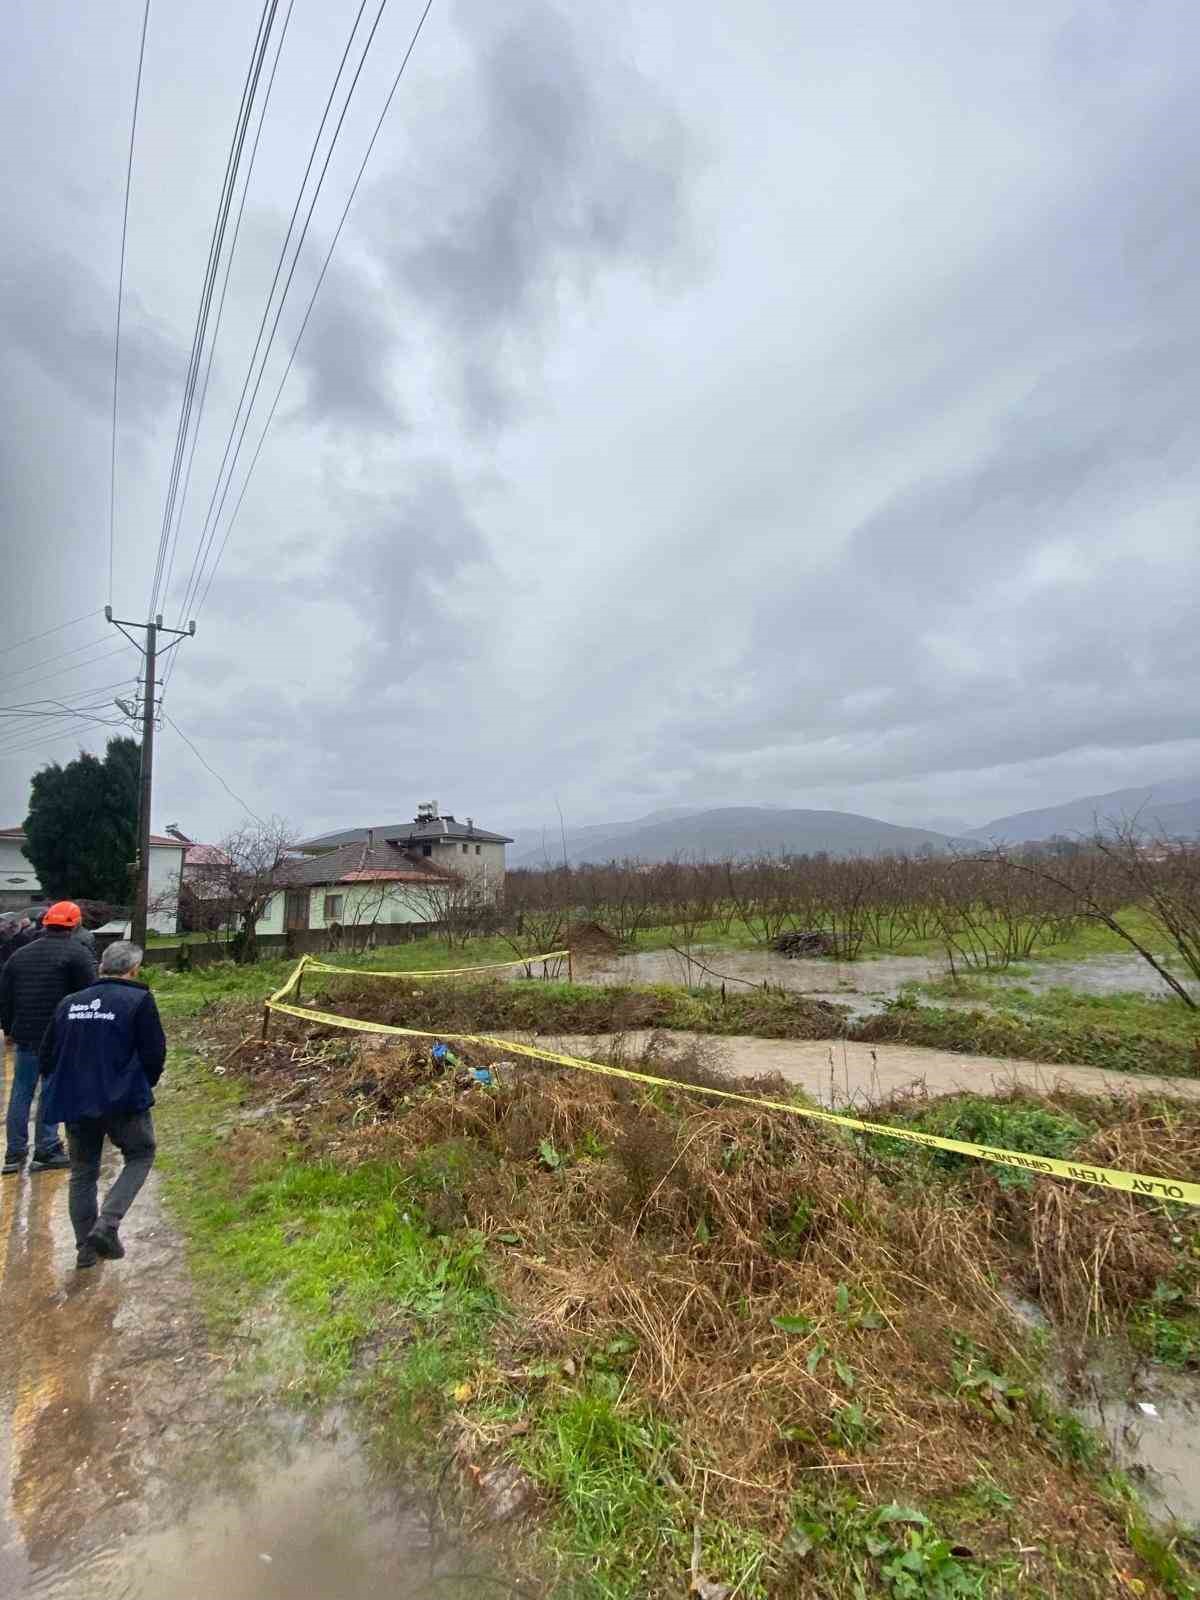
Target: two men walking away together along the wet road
point(95, 1044)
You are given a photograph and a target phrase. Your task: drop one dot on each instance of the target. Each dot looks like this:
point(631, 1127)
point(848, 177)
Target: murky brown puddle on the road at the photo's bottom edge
point(311, 1526)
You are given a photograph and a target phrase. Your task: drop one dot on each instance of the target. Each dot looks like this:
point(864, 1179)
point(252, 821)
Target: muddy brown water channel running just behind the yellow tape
point(839, 1073)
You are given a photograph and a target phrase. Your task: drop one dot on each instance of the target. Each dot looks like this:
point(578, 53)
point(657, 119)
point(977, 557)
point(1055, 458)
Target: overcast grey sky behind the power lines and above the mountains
point(761, 404)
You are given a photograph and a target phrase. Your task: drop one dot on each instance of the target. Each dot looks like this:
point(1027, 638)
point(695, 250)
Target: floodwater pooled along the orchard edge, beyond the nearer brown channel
point(860, 986)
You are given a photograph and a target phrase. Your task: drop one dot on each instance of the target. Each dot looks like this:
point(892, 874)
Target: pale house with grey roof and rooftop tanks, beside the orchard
point(386, 874)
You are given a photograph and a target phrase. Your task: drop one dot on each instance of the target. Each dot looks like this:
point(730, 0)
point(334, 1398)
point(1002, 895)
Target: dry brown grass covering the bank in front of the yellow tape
point(681, 1233)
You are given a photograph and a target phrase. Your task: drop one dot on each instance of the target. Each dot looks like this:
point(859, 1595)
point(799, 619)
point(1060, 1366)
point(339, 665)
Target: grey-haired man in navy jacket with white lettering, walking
point(102, 1057)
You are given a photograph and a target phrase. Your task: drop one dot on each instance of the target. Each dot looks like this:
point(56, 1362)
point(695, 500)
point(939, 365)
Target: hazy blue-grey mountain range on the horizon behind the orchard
point(1169, 807)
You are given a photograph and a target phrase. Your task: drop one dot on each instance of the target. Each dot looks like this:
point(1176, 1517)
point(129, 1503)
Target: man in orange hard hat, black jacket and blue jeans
point(34, 980)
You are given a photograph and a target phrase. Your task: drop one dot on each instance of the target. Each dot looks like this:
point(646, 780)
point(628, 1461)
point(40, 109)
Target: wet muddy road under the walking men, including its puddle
point(127, 1470)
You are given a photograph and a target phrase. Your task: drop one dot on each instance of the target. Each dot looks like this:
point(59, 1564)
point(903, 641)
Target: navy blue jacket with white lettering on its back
point(103, 1052)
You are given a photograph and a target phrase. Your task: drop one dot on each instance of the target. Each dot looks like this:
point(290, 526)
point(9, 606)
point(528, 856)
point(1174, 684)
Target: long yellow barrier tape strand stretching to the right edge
point(1044, 1166)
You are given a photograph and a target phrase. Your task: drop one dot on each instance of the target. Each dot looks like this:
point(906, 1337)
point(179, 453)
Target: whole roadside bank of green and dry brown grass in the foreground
point(663, 1318)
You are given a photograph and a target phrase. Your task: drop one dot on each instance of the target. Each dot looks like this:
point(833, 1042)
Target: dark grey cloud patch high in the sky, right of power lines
point(567, 162)
